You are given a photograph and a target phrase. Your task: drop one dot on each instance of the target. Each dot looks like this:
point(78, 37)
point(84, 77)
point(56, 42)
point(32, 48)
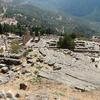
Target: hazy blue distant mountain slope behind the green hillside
point(78, 8)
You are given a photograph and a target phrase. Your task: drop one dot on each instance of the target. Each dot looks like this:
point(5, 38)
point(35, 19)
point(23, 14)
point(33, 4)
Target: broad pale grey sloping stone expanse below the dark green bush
point(72, 69)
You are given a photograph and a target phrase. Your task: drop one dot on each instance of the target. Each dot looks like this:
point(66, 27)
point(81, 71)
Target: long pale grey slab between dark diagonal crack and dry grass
point(67, 79)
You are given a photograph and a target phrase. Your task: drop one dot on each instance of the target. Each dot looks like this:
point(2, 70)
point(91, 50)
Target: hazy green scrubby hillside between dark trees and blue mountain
point(28, 14)
